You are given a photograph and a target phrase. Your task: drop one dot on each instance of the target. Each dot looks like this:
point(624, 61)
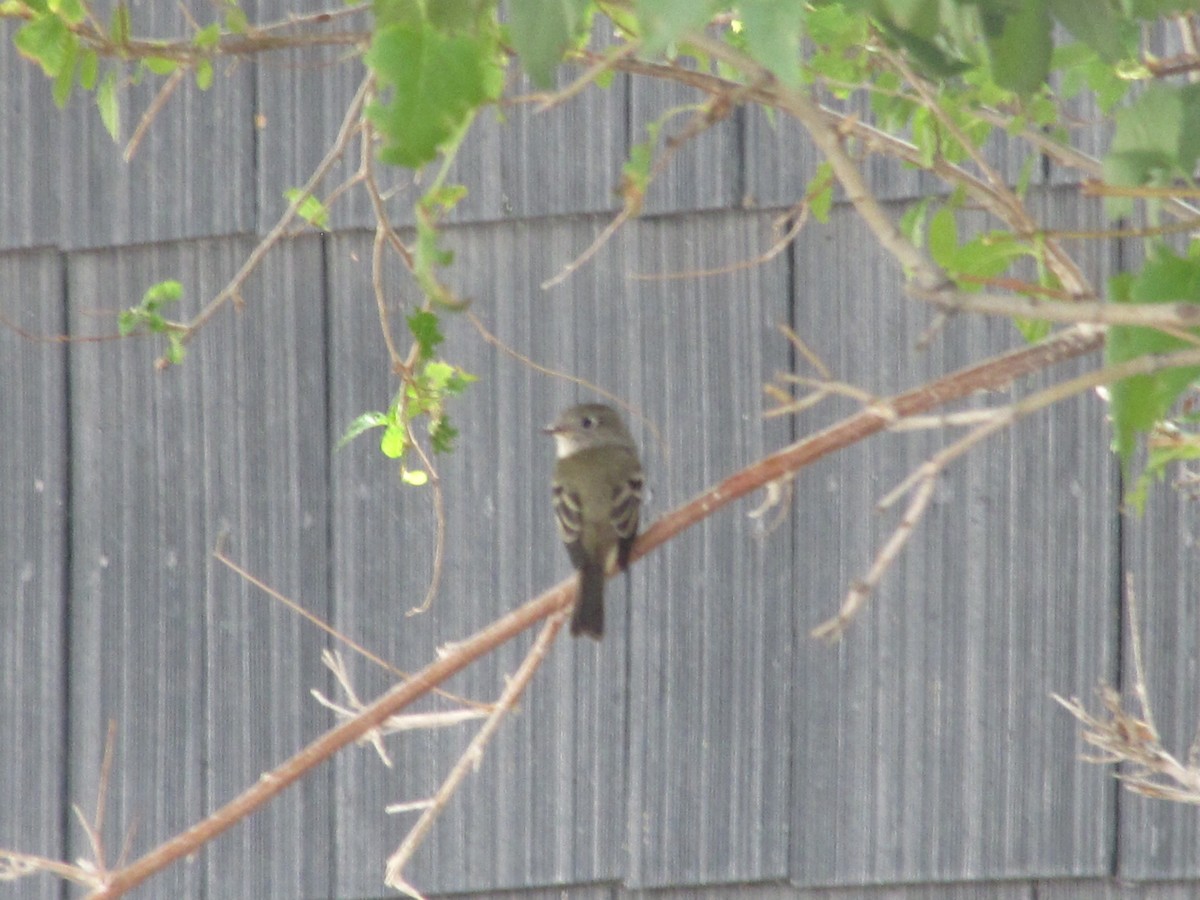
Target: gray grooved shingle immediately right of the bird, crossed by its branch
point(710, 635)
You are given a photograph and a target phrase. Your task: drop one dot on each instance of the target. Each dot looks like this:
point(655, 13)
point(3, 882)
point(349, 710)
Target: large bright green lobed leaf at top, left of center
point(435, 85)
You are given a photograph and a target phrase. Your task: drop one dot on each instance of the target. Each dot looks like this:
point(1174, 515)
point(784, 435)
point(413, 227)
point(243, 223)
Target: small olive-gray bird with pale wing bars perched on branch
point(598, 496)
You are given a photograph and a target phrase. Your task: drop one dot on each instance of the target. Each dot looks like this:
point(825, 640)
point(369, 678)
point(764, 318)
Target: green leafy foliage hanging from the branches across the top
point(945, 75)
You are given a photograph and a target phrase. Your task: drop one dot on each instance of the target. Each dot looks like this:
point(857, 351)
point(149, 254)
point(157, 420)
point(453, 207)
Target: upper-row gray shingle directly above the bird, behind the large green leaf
point(565, 160)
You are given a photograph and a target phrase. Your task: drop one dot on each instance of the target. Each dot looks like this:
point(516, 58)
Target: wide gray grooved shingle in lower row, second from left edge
point(206, 680)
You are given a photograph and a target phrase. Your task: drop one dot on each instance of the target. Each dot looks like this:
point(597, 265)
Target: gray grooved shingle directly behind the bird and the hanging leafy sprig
point(547, 806)
